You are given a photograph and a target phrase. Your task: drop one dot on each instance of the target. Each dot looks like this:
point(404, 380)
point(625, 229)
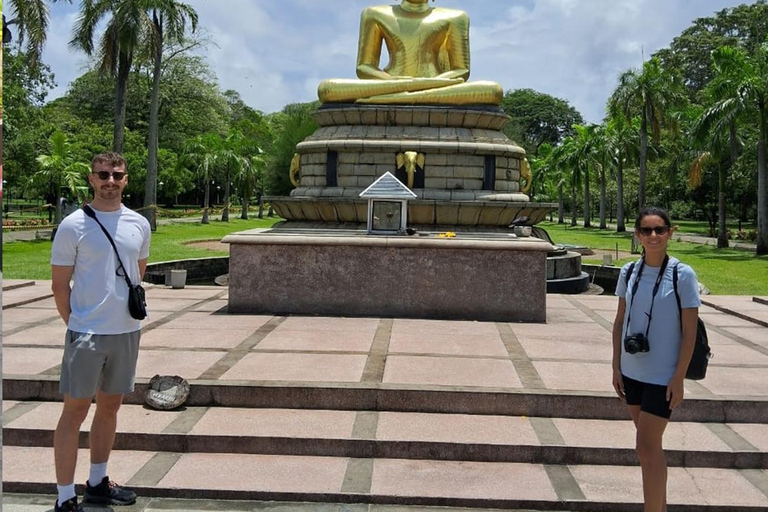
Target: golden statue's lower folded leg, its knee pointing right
point(472, 93)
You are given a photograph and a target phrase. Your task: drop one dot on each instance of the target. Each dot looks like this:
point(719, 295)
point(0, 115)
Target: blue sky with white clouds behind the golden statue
point(276, 52)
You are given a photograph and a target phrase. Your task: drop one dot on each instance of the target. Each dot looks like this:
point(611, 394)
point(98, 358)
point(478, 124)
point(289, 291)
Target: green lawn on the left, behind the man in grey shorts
point(31, 260)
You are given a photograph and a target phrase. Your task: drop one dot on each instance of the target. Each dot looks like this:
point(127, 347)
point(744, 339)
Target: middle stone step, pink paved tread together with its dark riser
point(397, 435)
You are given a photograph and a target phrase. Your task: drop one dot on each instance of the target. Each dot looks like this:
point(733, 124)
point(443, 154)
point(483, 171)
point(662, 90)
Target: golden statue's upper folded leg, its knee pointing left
point(349, 90)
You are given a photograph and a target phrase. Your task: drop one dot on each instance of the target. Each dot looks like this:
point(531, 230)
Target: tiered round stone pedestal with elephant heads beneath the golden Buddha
point(470, 177)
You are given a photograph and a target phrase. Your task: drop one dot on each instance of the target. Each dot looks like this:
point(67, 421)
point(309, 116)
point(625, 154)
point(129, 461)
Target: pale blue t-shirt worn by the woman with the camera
point(658, 365)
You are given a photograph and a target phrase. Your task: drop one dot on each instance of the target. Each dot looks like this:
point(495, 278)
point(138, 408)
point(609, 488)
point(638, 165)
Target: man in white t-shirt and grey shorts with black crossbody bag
point(102, 340)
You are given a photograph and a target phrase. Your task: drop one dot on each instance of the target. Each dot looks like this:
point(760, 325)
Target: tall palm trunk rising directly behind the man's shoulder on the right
point(150, 188)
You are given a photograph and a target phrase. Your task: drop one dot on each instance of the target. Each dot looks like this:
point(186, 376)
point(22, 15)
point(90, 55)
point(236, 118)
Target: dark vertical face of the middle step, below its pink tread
point(395, 449)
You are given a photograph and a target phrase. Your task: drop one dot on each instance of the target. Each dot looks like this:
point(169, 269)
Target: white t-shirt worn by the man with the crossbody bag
point(99, 299)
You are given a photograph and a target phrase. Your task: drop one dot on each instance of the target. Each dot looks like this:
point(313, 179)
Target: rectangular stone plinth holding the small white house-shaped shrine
point(489, 278)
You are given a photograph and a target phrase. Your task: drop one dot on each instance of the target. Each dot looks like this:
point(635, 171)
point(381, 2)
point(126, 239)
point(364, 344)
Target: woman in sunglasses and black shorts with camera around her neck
point(650, 353)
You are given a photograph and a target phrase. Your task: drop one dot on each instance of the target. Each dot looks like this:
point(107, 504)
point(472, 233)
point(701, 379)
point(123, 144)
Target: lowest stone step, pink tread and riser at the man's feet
point(381, 481)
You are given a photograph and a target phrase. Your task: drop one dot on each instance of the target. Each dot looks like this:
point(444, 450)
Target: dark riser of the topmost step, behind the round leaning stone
point(372, 397)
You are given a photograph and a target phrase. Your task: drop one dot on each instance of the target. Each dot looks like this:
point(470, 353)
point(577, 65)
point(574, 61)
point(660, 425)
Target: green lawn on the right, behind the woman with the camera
point(723, 271)
